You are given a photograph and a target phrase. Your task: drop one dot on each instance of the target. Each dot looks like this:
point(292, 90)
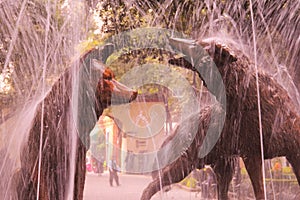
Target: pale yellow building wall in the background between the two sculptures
point(141, 116)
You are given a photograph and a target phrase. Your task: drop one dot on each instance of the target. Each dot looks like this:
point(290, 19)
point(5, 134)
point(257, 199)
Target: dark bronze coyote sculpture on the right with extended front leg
point(240, 135)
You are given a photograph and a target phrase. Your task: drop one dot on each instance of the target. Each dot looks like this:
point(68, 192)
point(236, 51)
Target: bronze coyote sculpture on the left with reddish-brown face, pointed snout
point(60, 173)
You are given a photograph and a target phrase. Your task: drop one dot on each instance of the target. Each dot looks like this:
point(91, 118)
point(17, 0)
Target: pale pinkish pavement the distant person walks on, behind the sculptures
point(98, 188)
